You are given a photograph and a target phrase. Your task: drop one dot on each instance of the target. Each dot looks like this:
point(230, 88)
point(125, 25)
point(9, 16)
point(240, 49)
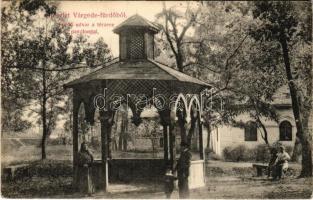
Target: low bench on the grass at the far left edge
point(12, 172)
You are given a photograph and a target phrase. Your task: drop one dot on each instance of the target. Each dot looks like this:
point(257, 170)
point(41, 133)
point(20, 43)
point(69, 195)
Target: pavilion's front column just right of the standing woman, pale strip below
point(106, 121)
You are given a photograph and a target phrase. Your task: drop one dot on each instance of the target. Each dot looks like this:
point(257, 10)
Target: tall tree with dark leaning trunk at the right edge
point(283, 23)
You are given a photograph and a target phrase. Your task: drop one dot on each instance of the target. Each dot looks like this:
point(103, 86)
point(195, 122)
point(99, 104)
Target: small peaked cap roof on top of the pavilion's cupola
point(136, 21)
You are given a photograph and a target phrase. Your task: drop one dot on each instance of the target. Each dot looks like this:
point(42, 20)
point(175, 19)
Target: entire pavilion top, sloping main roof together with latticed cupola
point(136, 59)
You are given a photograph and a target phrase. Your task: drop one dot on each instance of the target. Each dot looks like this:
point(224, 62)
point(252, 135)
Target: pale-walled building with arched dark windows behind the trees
point(250, 136)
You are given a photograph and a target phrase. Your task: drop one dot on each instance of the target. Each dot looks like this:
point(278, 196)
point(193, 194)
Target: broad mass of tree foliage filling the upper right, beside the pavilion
point(247, 51)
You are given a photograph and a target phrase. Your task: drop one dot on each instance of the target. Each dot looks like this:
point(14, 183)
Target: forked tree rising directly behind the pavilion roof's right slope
point(193, 55)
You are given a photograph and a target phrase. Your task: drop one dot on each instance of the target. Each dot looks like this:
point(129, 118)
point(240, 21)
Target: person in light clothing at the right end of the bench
point(281, 163)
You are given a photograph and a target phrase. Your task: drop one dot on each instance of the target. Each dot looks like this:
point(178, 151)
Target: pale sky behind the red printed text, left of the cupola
point(70, 10)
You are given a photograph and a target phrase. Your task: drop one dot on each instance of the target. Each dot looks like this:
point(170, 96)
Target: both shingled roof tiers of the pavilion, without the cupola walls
point(138, 69)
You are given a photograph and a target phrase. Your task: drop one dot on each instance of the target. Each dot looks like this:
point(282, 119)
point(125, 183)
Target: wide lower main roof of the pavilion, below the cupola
point(139, 70)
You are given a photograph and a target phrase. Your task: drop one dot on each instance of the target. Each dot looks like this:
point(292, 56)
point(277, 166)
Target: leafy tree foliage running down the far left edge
point(13, 95)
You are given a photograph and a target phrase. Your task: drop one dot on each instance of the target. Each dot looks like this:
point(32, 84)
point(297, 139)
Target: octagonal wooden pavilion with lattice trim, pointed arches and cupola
point(137, 73)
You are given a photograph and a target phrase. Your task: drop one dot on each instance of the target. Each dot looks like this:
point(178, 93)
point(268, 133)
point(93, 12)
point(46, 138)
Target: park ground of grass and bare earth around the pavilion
point(224, 180)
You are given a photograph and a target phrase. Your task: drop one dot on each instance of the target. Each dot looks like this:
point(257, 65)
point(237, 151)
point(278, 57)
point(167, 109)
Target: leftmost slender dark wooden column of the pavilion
point(75, 140)
